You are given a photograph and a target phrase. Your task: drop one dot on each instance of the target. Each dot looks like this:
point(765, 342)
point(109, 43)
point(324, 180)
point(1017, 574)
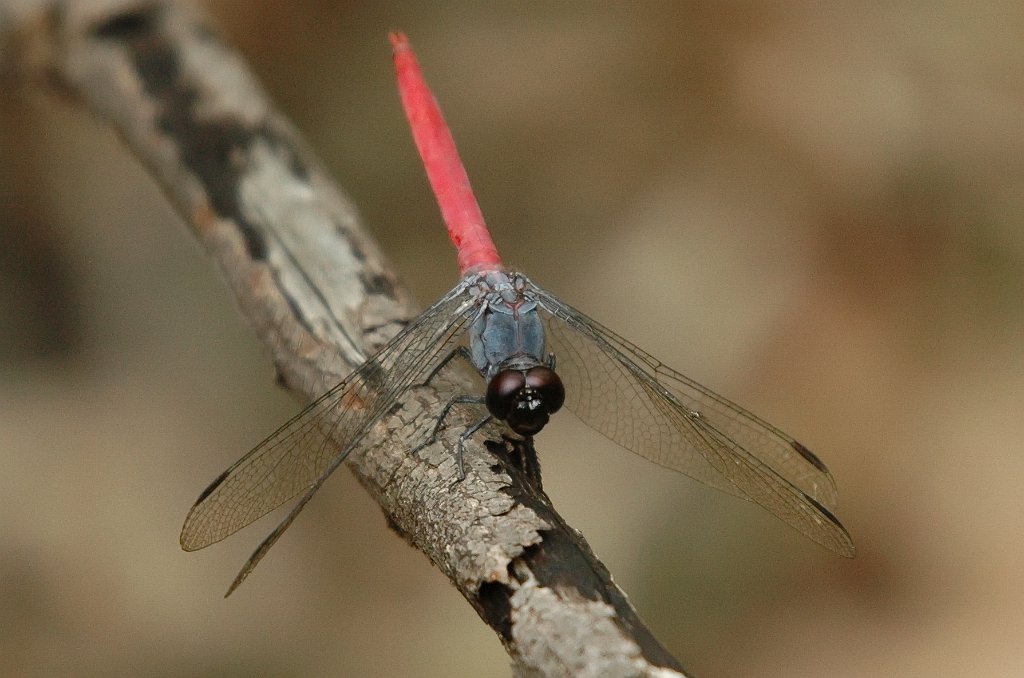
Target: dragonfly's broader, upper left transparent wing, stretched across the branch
point(294, 458)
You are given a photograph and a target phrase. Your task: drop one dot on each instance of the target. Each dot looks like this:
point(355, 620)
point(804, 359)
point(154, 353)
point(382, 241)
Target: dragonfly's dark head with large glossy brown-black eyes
point(526, 399)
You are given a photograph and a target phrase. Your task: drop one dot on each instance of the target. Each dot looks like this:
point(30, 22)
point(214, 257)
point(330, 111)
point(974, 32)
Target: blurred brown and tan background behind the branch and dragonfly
point(816, 211)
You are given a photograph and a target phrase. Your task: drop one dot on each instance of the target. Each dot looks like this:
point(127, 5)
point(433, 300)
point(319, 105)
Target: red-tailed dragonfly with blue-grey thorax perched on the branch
point(536, 355)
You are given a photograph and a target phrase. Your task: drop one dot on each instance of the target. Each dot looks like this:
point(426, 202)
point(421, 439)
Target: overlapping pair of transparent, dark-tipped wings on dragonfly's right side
point(634, 400)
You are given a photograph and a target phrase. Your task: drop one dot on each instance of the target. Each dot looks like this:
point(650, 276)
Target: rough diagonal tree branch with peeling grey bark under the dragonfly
point(318, 292)
